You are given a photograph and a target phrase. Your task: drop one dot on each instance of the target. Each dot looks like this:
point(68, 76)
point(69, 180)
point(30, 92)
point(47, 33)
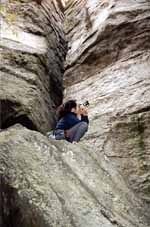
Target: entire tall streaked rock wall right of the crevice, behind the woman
point(108, 63)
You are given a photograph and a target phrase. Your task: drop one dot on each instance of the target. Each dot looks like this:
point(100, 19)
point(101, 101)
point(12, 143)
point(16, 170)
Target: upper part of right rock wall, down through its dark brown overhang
point(101, 33)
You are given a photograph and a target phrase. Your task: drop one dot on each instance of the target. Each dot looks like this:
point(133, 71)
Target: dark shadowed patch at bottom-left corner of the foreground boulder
point(15, 210)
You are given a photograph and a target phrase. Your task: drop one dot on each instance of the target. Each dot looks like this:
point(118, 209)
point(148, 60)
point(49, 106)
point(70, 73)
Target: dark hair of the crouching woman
point(65, 108)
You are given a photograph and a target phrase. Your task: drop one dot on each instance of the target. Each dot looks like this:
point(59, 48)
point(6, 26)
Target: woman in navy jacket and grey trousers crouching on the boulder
point(73, 122)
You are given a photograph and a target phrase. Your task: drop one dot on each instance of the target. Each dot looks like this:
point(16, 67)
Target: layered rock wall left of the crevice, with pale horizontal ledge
point(32, 50)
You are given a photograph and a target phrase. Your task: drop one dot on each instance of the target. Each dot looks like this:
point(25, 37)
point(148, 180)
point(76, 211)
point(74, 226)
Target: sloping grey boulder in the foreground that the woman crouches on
point(46, 183)
